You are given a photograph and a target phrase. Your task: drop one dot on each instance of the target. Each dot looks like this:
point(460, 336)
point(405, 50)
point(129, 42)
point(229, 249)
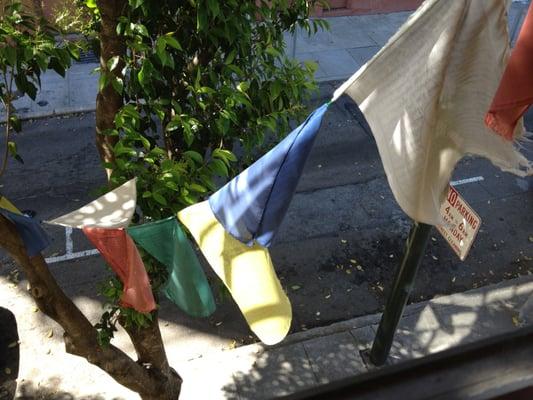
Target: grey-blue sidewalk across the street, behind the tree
point(339, 52)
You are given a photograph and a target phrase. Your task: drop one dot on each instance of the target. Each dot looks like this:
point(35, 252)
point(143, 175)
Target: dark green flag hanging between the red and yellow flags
point(187, 285)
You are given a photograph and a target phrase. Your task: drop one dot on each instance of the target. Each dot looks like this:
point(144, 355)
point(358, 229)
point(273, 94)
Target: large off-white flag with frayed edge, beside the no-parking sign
point(425, 95)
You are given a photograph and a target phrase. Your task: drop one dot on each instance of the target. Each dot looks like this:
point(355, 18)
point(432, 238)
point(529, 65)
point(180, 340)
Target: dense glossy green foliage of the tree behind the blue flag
point(198, 78)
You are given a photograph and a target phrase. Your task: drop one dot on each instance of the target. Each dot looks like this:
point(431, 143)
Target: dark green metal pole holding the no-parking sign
point(401, 289)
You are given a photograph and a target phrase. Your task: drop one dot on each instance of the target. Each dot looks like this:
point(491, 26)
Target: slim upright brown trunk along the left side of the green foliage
point(108, 101)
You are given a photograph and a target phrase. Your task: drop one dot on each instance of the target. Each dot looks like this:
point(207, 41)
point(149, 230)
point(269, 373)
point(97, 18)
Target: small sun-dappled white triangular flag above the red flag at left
point(112, 210)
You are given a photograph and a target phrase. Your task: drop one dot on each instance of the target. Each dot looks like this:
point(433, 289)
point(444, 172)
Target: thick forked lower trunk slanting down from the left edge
point(80, 337)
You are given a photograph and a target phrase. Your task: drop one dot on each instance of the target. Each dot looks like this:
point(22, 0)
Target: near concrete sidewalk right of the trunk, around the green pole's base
point(323, 355)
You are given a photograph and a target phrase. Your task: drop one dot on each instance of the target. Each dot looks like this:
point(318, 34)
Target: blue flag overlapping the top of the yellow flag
point(252, 205)
